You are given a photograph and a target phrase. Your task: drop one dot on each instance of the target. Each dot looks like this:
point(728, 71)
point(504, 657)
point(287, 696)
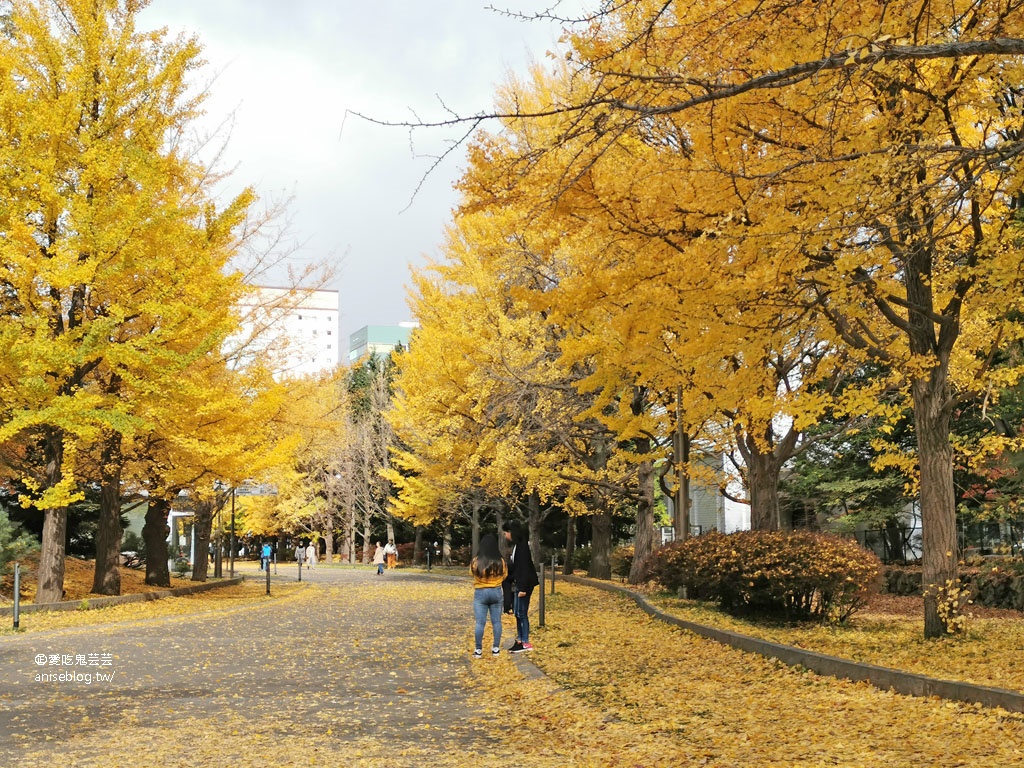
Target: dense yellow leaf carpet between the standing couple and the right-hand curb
point(663, 697)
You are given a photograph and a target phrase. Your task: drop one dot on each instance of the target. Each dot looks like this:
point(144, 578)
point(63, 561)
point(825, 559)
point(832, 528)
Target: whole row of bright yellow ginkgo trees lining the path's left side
point(138, 362)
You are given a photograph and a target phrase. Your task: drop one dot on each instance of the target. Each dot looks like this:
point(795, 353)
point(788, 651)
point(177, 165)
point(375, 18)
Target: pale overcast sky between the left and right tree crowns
point(290, 71)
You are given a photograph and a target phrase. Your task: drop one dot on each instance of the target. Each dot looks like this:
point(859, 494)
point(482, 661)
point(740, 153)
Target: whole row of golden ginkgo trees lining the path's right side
point(745, 229)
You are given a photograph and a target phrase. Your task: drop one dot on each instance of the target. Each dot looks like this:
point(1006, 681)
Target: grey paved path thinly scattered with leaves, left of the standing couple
point(354, 669)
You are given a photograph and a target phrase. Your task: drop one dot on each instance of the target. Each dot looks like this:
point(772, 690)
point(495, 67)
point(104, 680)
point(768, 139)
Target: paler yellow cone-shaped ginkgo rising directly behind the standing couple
point(484, 401)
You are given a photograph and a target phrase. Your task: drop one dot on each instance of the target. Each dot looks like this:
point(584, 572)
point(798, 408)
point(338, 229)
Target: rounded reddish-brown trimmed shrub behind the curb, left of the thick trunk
point(796, 577)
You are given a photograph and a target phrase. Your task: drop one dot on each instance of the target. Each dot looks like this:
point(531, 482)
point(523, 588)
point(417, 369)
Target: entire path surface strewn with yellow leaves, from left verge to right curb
point(351, 669)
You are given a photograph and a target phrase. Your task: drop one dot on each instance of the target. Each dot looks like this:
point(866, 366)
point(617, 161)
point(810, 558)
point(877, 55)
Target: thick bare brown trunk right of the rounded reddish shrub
point(938, 511)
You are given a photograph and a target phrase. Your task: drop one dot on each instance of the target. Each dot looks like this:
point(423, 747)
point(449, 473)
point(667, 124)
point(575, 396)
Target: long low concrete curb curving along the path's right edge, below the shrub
point(881, 677)
